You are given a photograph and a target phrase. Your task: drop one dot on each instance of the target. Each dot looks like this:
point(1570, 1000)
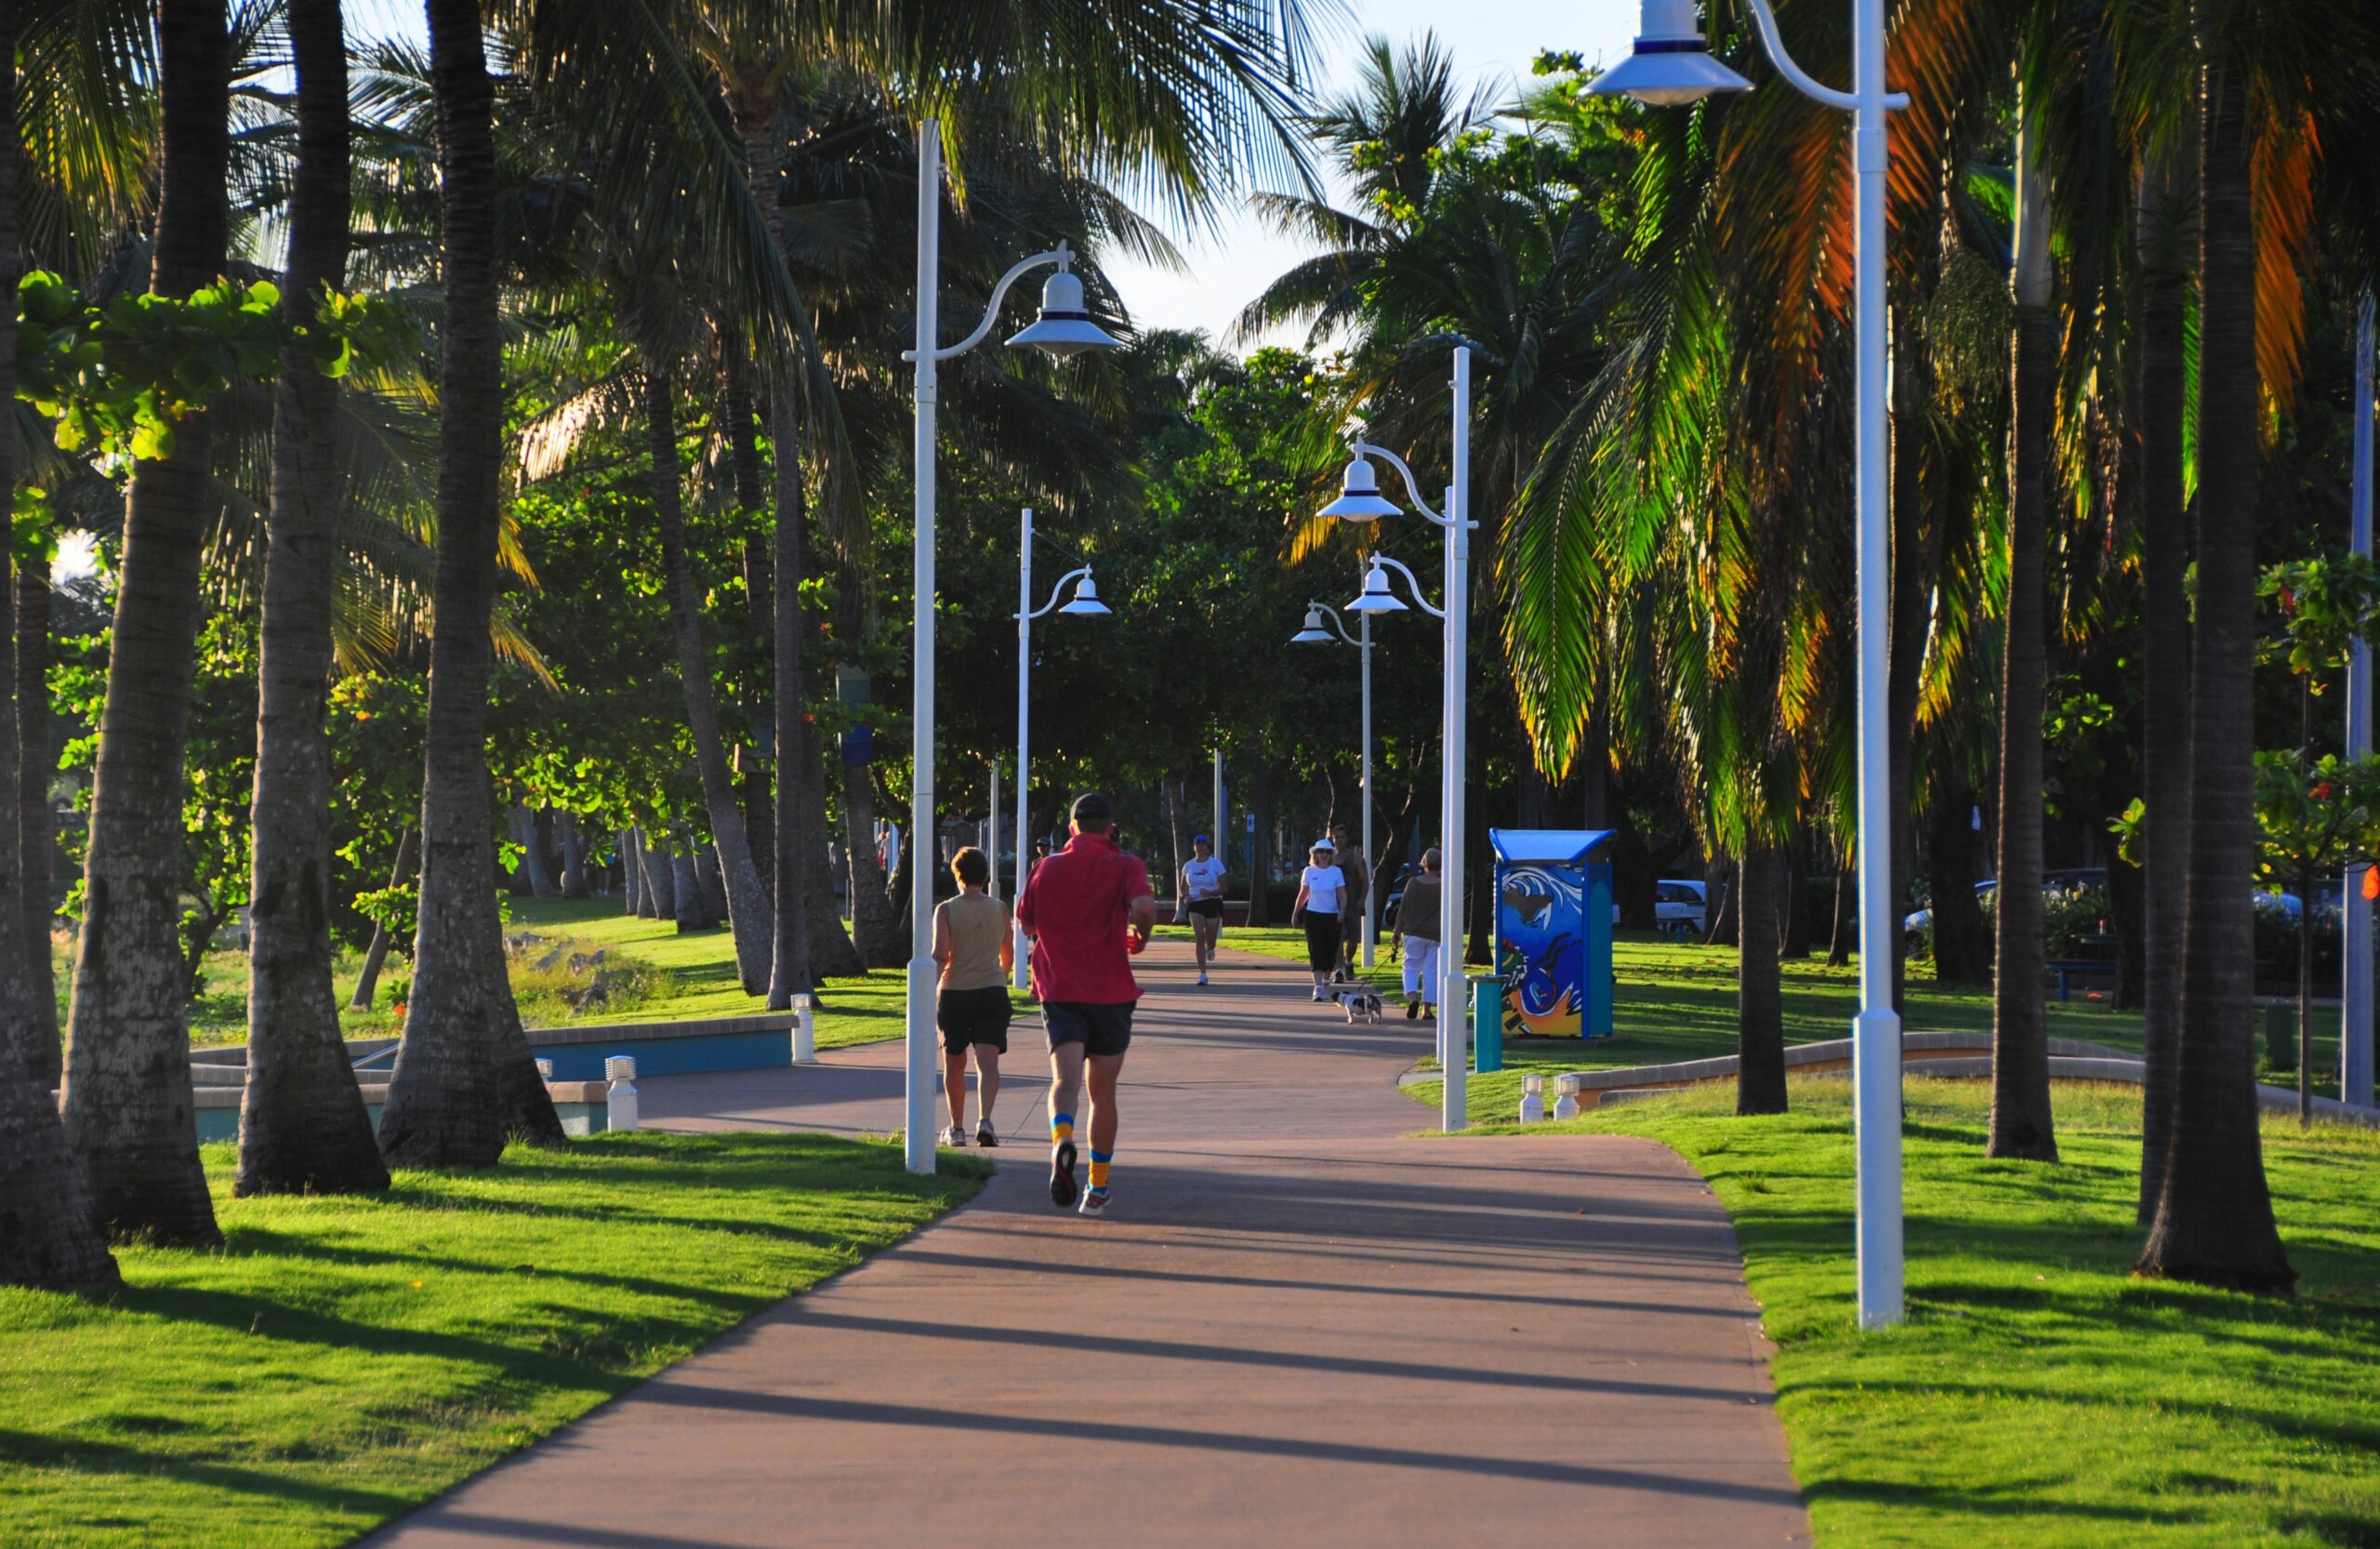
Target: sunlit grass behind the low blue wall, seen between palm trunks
point(668, 979)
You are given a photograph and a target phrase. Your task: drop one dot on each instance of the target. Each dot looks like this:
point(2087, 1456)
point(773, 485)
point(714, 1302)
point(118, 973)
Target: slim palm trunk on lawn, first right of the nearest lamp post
point(2022, 1122)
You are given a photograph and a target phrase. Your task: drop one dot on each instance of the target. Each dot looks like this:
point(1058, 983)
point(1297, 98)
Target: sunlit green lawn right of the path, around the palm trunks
point(2041, 1396)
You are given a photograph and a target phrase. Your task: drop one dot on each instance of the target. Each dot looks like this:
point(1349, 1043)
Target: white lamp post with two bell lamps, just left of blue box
point(1360, 501)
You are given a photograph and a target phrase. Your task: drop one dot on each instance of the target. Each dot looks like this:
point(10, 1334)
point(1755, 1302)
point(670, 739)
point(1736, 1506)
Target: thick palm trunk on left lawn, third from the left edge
point(303, 1124)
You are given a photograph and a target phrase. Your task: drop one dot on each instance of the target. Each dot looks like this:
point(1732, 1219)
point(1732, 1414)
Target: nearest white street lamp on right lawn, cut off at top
point(1672, 68)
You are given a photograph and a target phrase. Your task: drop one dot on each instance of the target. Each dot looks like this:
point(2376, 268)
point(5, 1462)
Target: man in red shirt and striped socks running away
point(1077, 913)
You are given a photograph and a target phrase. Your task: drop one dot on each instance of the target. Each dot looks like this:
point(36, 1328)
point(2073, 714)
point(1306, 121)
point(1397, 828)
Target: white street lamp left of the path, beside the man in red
point(1063, 330)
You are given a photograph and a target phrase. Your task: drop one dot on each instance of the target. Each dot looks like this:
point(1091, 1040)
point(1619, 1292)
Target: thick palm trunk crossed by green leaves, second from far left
point(127, 1093)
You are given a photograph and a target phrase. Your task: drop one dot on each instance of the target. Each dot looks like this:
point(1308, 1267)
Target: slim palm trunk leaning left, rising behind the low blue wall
point(749, 908)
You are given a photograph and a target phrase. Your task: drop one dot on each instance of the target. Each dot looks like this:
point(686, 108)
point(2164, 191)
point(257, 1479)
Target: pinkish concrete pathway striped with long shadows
point(1294, 1329)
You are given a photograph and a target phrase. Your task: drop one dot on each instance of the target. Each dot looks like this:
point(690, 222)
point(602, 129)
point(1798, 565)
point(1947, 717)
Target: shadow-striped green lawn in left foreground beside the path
point(344, 1360)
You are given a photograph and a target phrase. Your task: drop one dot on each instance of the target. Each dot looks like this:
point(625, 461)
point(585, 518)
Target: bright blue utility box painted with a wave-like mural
point(1553, 929)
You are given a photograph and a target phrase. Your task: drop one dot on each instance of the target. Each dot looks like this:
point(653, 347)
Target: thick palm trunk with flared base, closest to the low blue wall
point(444, 1098)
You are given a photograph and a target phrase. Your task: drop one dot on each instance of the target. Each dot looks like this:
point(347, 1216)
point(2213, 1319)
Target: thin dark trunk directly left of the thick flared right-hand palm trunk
point(2165, 648)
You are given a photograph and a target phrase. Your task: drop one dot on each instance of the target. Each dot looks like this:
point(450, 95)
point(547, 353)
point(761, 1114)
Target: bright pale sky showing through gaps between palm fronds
point(1491, 42)
